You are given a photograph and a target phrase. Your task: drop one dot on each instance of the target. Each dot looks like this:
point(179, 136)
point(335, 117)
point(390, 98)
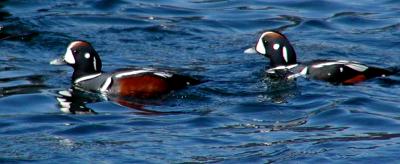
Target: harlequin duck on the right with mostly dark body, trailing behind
point(283, 63)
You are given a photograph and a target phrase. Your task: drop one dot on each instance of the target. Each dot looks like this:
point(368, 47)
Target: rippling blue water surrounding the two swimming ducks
point(239, 116)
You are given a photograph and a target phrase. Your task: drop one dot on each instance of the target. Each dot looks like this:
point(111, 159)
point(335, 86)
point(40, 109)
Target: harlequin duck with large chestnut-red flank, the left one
point(137, 83)
